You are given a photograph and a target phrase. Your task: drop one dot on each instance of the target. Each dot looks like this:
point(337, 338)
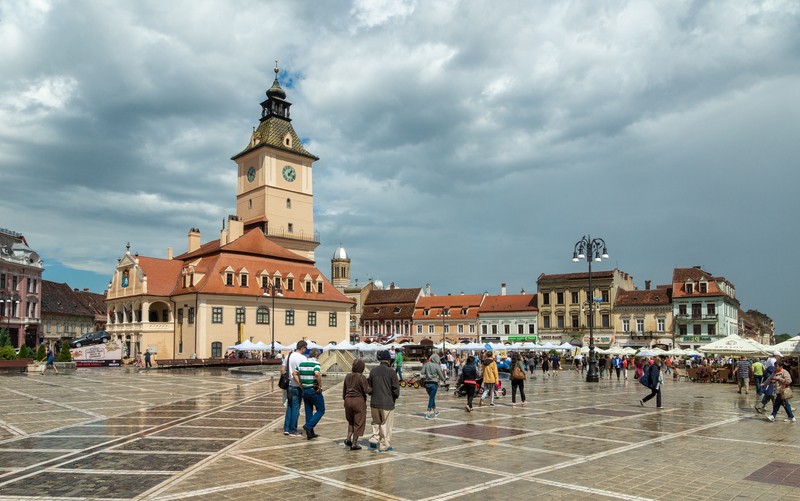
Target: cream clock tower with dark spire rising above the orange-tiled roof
point(274, 190)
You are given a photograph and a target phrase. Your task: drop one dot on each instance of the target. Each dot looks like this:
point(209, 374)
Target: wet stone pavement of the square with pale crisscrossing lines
point(208, 434)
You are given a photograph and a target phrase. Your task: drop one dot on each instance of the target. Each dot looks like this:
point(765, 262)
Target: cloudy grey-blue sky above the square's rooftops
point(462, 144)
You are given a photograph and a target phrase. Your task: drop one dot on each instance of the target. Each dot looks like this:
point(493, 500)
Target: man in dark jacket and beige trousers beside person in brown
point(385, 391)
